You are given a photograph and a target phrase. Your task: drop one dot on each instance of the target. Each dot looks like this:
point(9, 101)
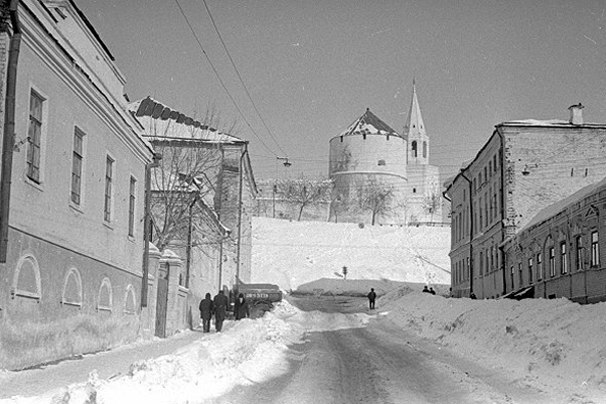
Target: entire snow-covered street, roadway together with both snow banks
point(414, 348)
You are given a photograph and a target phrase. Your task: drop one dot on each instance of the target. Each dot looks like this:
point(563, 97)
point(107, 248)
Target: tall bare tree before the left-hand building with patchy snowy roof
point(183, 184)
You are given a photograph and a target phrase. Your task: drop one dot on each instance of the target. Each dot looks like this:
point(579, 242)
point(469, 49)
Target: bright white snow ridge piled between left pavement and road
point(247, 352)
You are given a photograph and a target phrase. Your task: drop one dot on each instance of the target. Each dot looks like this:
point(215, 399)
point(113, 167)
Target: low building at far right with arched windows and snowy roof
point(560, 252)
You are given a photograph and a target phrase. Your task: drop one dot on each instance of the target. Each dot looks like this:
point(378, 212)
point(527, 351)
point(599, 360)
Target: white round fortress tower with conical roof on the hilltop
point(367, 163)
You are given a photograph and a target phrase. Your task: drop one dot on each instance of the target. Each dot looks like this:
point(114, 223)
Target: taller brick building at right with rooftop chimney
point(524, 166)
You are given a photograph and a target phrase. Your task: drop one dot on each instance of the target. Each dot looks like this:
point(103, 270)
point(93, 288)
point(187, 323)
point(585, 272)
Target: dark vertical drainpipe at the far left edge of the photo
point(8, 140)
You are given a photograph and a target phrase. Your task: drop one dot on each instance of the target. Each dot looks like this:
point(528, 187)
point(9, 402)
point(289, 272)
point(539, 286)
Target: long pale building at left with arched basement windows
point(73, 190)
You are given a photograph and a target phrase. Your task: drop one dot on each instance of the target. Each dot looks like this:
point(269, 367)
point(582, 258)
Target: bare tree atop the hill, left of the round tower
point(304, 191)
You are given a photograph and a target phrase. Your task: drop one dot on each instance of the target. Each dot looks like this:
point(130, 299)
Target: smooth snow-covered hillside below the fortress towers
point(294, 253)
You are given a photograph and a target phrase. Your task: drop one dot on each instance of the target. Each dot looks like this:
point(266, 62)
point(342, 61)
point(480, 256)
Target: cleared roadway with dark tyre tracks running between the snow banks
point(378, 363)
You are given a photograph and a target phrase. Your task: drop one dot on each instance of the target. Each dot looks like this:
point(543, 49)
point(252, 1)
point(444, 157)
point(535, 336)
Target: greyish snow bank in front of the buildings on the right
point(555, 345)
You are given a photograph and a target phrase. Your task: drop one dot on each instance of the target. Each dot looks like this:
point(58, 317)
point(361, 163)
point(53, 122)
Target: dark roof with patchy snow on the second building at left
point(165, 122)
